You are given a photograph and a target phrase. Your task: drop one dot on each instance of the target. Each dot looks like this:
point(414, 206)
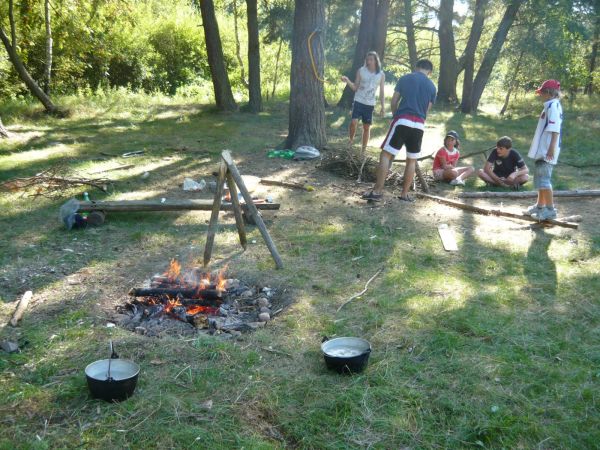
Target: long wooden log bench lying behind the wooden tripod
point(158, 205)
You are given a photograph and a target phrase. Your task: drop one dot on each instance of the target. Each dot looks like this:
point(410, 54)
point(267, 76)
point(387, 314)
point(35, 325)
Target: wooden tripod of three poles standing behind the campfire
point(228, 171)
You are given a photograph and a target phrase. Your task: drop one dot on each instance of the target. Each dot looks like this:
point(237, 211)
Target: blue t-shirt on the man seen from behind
point(417, 91)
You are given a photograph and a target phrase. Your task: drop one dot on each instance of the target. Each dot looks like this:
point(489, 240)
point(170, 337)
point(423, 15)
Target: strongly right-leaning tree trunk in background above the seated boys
point(492, 53)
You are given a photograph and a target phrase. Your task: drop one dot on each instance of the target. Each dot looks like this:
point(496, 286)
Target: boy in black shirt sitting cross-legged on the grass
point(505, 166)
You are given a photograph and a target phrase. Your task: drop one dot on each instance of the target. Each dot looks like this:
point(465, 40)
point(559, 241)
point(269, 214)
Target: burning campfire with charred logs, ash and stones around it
point(195, 301)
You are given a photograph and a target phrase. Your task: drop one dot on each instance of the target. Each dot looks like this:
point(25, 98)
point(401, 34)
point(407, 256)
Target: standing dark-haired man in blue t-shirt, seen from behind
point(413, 96)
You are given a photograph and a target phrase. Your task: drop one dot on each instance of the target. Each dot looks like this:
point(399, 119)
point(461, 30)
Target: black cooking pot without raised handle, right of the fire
point(346, 354)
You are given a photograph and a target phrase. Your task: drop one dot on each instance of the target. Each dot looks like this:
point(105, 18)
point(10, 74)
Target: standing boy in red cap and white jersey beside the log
point(545, 149)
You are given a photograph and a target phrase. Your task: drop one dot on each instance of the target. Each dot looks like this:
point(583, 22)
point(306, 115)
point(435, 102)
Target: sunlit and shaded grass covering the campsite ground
point(494, 347)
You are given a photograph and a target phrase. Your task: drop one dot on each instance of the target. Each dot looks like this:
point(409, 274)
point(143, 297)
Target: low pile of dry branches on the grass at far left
point(53, 182)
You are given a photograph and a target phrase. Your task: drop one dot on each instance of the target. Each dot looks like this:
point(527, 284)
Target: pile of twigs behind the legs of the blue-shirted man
point(346, 163)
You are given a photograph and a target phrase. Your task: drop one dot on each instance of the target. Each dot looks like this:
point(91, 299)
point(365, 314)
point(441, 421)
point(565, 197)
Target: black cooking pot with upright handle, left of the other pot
point(112, 379)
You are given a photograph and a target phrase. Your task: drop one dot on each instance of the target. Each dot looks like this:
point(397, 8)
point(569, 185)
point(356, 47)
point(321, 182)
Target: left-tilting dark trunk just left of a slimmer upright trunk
point(223, 95)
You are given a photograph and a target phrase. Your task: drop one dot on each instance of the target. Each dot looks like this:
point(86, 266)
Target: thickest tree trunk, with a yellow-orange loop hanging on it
point(307, 112)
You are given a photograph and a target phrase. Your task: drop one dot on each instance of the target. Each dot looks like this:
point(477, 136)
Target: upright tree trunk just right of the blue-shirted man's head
point(448, 62)
